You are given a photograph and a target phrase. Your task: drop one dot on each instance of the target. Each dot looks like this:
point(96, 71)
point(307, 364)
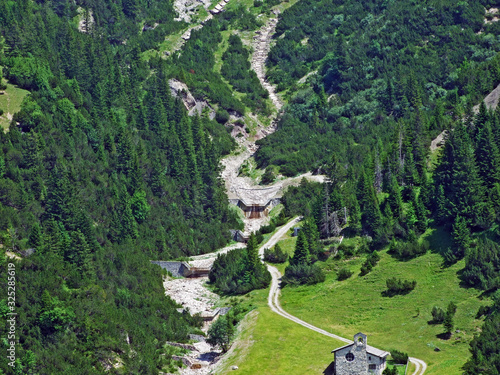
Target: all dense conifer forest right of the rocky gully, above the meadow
point(381, 89)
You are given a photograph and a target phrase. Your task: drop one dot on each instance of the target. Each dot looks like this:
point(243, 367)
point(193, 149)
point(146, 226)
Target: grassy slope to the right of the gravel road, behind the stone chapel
point(399, 322)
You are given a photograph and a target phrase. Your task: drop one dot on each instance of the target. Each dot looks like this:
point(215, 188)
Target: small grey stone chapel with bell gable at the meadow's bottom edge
point(359, 359)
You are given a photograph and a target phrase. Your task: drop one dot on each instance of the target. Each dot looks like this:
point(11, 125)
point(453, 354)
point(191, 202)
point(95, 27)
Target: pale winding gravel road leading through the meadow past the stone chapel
point(274, 291)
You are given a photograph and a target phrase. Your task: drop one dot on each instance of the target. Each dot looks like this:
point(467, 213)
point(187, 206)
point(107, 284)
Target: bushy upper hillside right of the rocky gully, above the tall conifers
point(369, 66)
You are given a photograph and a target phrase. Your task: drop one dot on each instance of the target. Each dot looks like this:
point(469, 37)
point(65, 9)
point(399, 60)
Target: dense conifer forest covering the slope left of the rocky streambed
point(103, 172)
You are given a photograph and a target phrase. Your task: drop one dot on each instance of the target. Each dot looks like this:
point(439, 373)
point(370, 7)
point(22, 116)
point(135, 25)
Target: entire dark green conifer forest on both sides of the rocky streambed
point(102, 170)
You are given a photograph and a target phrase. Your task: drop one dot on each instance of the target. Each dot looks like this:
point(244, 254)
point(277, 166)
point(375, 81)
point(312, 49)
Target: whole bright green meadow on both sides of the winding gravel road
point(271, 344)
